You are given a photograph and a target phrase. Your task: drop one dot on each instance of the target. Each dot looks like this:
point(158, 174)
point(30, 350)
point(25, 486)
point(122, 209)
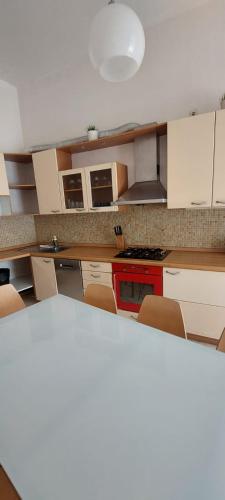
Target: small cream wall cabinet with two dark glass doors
point(93, 188)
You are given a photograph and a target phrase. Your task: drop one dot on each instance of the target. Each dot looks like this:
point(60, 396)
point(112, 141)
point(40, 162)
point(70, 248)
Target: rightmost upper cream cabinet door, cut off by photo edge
point(219, 161)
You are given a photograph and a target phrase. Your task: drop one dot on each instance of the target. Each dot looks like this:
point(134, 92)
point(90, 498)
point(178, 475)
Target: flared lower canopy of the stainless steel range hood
point(142, 193)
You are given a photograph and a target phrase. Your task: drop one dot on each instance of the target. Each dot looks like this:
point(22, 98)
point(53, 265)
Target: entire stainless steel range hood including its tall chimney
point(150, 172)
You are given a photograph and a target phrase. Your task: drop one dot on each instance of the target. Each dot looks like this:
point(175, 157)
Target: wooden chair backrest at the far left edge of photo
point(10, 300)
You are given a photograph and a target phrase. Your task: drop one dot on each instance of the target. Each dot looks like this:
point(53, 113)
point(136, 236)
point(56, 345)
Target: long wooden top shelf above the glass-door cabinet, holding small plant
point(116, 139)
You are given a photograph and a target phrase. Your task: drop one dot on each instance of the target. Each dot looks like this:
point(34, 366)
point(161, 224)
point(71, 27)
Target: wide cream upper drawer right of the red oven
point(203, 287)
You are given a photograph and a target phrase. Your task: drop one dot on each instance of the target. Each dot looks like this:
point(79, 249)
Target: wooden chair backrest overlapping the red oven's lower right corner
point(163, 314)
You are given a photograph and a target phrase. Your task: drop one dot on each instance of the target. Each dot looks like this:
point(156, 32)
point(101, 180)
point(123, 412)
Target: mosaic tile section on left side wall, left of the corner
point(16, 230)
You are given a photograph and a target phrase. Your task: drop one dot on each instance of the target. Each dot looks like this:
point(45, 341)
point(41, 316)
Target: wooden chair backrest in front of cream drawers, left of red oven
point(100, 296)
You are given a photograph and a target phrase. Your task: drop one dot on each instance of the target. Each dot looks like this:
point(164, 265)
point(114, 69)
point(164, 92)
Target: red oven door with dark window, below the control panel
point(130, 289)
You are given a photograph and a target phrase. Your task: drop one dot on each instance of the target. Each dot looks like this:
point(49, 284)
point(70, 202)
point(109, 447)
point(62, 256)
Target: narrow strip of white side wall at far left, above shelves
point(11, 136)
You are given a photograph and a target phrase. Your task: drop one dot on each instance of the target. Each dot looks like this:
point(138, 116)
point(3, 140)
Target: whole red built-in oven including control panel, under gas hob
point(132, 282)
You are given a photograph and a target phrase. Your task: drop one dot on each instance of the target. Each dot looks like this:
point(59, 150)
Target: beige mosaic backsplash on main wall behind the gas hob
point(148, 225)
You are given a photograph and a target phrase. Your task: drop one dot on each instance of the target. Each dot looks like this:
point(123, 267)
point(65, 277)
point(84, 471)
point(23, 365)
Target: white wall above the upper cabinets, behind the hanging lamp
point(183, 70)
